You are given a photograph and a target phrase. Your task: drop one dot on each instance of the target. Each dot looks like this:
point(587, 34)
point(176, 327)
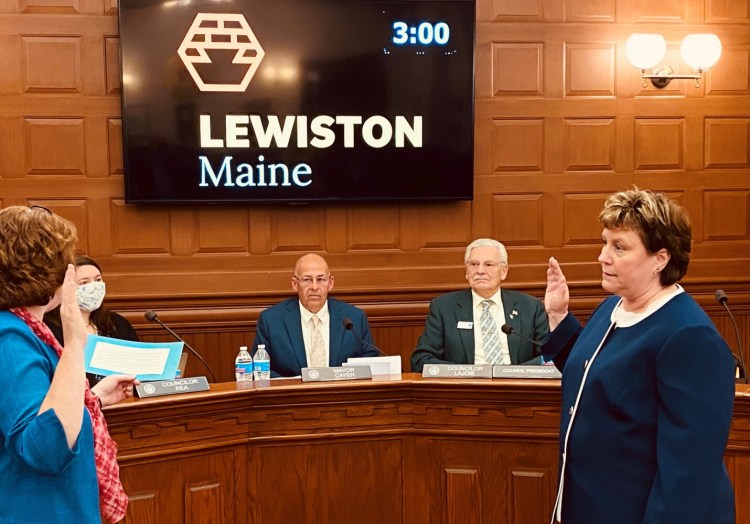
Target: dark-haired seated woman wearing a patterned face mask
point(99, 321)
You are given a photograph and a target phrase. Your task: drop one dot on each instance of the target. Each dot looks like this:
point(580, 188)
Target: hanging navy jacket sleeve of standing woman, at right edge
point(695, 386)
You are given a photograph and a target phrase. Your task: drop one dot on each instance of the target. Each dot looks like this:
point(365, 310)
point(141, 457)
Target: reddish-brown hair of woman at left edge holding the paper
point(36, 247)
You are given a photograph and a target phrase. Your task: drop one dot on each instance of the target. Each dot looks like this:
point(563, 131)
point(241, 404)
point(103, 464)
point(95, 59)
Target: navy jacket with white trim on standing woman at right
point(647, 441)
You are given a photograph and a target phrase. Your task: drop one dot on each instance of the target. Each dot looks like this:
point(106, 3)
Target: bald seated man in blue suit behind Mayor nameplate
point(308, 331)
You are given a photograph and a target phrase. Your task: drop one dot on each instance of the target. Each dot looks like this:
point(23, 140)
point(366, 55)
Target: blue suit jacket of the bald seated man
point(280, 329)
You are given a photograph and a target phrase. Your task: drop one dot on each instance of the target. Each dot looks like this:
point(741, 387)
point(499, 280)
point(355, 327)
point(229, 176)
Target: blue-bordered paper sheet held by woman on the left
point(145, 360)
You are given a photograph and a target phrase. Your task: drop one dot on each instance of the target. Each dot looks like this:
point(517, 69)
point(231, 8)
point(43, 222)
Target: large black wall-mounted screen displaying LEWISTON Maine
point(297, 100)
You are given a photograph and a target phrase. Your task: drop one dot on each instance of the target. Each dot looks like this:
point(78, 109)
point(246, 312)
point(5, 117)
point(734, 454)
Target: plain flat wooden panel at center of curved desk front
point(329, 481)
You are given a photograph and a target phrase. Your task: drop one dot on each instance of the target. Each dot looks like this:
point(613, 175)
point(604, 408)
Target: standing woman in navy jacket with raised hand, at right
point(648, 387)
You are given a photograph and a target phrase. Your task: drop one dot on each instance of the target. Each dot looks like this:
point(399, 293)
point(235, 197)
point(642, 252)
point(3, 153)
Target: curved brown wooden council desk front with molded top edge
point(408, 450)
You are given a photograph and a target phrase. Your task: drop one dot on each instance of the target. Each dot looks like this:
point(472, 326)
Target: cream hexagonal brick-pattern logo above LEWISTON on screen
point(224, 32)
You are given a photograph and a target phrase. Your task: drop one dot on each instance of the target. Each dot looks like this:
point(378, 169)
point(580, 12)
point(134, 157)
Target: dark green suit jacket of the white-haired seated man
point(442, 342)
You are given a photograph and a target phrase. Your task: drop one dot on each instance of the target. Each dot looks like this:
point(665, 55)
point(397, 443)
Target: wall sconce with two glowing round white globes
point(646, 51)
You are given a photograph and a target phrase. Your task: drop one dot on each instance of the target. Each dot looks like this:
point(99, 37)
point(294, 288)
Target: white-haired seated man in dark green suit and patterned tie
point(464, 327)
